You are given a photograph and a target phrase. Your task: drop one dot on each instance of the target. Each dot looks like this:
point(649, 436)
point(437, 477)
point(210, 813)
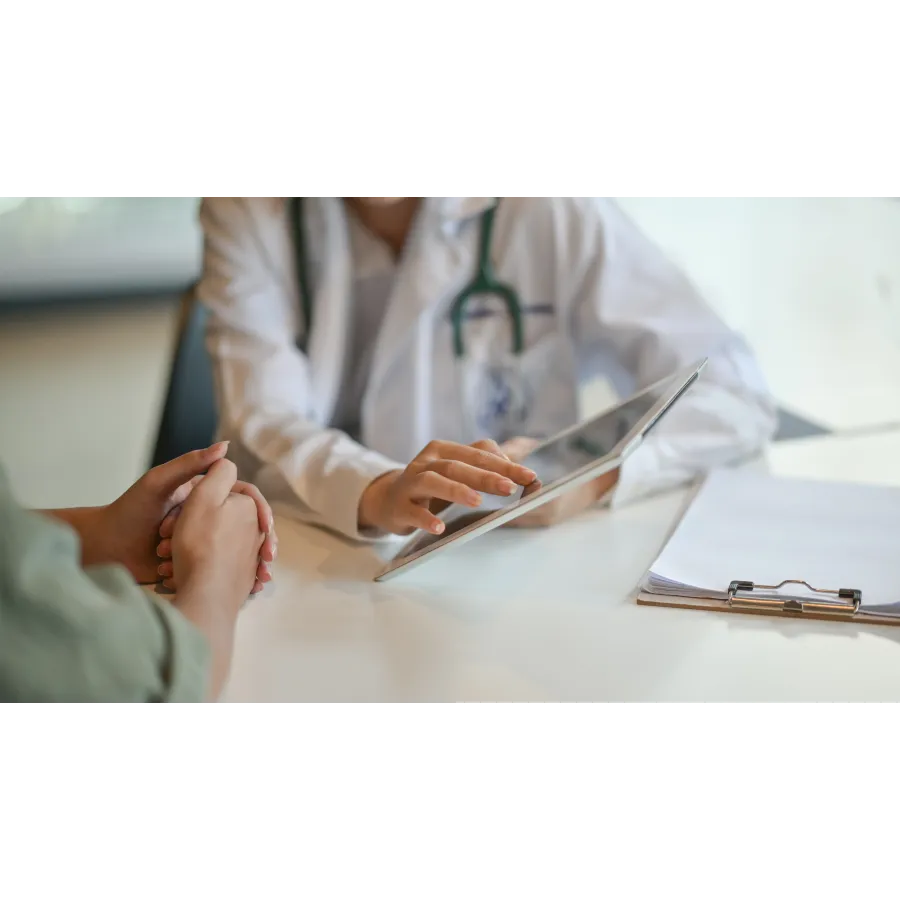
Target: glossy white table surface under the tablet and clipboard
point(549, 617)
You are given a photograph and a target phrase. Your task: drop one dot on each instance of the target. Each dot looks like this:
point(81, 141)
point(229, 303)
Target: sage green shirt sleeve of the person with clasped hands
point(70, 635)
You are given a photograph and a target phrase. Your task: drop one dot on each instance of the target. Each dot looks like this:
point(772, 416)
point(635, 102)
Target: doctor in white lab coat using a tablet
point(327, 420)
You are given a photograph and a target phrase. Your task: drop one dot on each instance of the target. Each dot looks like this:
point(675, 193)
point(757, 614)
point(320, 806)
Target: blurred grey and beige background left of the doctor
point(89, 289)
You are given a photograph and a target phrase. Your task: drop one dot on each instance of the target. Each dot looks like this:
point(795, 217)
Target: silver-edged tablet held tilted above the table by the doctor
point(563, 463)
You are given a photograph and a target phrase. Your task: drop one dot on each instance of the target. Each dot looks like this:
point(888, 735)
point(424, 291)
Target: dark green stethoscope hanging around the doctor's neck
point(506, 398)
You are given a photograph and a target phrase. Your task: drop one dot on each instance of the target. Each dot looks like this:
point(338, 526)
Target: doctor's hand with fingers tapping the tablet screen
point(442, 474)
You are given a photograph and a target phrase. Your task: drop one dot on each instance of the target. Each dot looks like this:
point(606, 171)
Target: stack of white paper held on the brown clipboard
point(747, 526)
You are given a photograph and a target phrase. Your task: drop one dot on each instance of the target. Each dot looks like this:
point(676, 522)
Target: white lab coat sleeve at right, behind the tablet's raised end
point(636, 306)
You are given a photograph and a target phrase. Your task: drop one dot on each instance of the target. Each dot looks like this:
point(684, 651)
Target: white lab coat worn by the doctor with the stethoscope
point(618, 309)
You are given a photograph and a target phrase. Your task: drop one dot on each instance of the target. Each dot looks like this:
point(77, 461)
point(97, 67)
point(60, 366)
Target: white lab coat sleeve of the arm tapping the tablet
point(263, 384)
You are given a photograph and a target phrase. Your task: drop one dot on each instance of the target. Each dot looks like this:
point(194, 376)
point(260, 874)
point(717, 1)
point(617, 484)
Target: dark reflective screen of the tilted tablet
point(560, 458)
